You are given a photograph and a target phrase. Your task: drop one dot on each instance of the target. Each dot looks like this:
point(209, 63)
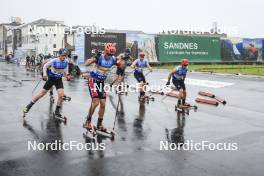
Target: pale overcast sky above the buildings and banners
point(242, 17)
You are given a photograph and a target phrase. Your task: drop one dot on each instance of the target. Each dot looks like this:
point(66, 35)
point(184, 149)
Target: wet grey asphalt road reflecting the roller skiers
point(136, 149)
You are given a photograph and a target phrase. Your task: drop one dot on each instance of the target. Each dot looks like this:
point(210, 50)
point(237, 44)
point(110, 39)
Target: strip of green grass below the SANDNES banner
point(229, 69)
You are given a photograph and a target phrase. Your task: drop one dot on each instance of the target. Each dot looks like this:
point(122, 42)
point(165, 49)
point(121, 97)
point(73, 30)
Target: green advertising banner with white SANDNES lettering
point(196, 48)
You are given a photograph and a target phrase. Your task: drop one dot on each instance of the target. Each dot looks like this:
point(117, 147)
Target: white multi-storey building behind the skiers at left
point(41, 37)
